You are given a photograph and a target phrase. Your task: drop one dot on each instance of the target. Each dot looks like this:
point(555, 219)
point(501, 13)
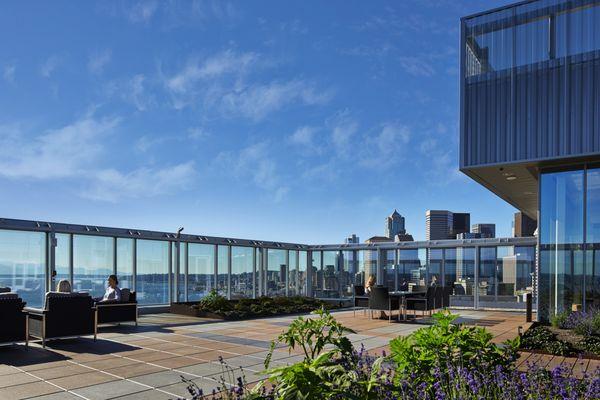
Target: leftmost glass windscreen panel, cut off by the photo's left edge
point(23, 265)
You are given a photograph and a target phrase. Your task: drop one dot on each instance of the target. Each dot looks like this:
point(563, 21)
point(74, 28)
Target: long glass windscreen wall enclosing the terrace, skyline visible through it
point(163, 267)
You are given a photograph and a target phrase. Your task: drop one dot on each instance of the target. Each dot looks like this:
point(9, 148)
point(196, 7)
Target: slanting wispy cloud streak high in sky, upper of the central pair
point(226, 62)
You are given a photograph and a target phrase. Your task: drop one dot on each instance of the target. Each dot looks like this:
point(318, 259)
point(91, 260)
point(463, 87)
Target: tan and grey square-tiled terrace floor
point(147, 362)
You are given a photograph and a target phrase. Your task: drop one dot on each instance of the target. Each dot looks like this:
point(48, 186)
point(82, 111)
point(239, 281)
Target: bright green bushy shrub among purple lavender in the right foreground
point(437, 346)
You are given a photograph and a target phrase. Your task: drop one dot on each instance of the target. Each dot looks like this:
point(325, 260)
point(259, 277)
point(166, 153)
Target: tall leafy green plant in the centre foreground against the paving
point(313, 334)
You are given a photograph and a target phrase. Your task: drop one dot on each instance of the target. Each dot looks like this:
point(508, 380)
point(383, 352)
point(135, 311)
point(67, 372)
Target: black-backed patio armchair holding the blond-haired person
point(64, 315)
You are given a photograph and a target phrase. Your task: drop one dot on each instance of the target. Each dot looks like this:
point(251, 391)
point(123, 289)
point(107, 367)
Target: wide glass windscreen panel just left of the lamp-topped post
point(152, 280)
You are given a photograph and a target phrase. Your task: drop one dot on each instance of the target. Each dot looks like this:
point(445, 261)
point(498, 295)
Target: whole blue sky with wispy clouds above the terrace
point(289, 121)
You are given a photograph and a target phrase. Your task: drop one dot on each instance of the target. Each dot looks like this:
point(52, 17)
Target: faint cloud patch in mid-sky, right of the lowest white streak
point(255, 162)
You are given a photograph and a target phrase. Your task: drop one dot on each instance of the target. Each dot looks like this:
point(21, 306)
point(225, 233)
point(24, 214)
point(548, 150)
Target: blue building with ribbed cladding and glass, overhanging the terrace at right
point(530, 132)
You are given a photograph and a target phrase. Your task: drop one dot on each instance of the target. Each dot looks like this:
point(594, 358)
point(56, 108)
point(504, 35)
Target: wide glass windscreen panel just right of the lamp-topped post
point(201, 270)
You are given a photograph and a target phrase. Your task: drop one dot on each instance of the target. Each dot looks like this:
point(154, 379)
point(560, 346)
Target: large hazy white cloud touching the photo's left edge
point(56, 153)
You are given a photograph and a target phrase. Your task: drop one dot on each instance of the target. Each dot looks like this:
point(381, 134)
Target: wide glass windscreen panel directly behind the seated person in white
point(92, 264)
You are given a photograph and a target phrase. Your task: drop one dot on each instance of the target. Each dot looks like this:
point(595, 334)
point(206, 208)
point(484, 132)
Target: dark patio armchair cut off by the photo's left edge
point(14, 321)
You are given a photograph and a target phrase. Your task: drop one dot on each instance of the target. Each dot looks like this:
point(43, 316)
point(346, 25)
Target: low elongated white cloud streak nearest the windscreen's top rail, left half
point(112, 185)
